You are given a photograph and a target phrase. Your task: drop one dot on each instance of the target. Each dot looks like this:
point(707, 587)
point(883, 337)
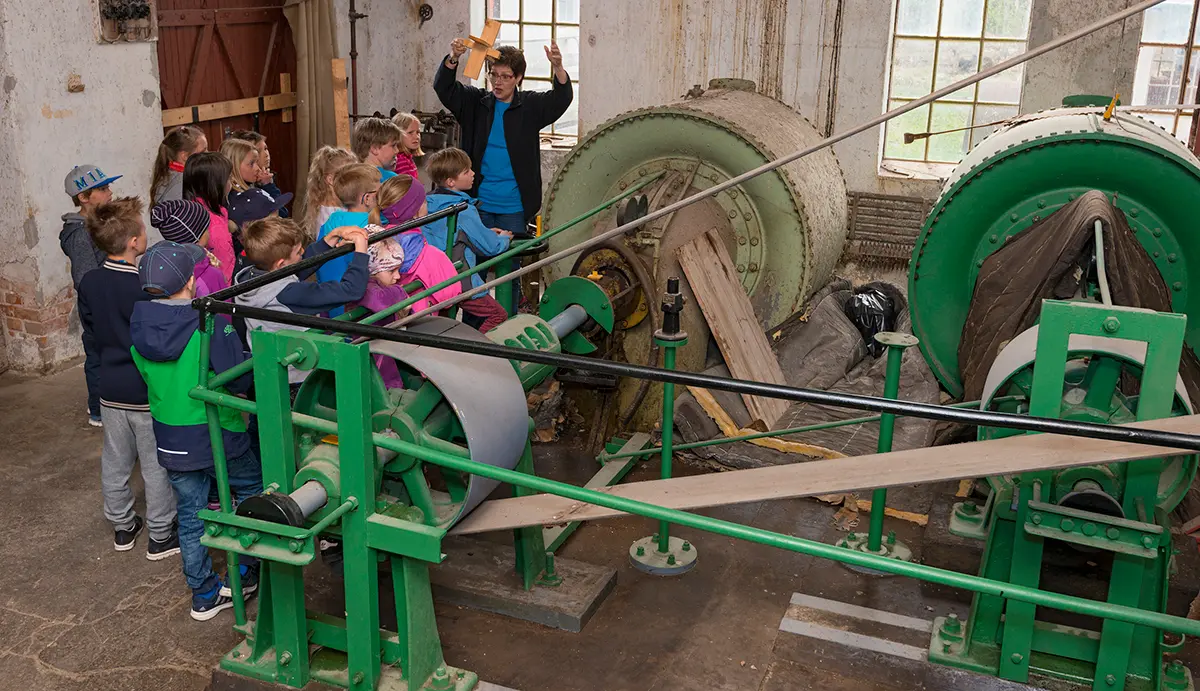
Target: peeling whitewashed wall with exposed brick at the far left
point(45, 131)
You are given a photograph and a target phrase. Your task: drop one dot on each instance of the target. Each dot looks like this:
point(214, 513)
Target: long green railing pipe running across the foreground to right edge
point(751, 534)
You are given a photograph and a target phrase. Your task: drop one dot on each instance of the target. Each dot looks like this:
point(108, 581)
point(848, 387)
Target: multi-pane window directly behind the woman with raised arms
point(532, 26)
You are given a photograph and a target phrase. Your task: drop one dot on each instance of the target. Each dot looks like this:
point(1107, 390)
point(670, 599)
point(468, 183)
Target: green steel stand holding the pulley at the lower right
point(1006, 639)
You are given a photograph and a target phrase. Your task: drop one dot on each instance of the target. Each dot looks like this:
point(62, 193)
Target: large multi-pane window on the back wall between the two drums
point(939, 43)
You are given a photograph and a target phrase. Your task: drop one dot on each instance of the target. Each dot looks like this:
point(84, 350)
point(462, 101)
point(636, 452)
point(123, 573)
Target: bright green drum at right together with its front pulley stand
point(1085, 362)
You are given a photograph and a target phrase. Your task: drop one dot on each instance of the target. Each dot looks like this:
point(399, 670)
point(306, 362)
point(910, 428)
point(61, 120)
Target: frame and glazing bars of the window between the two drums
point(926, 166)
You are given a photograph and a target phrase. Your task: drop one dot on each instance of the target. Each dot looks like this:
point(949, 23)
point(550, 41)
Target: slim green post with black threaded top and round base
point(663, 555)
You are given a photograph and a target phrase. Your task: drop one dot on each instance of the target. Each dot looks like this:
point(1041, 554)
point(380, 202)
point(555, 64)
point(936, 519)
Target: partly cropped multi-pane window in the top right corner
point(1167, 31)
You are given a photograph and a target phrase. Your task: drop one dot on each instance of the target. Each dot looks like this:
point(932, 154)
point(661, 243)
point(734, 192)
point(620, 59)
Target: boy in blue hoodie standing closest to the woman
point(453, 179)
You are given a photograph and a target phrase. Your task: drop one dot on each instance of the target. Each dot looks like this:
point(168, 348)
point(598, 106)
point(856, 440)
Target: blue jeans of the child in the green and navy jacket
point(193, 495)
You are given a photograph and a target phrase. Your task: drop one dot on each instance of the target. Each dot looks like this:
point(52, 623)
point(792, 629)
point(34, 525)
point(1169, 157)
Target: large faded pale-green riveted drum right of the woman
point(784, 231)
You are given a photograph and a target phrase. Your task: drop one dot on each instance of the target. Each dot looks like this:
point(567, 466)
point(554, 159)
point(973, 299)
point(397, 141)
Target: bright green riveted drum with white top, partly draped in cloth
point(1027, 171)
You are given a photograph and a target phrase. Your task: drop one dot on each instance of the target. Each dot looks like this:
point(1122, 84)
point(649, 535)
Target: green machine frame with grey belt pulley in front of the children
point(320, 464)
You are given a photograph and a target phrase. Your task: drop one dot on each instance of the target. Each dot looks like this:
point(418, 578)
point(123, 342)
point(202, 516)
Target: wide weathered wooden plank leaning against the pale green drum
point(730, 316)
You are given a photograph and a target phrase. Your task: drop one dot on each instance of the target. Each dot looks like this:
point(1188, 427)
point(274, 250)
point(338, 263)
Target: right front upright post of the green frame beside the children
point(358, 466)
